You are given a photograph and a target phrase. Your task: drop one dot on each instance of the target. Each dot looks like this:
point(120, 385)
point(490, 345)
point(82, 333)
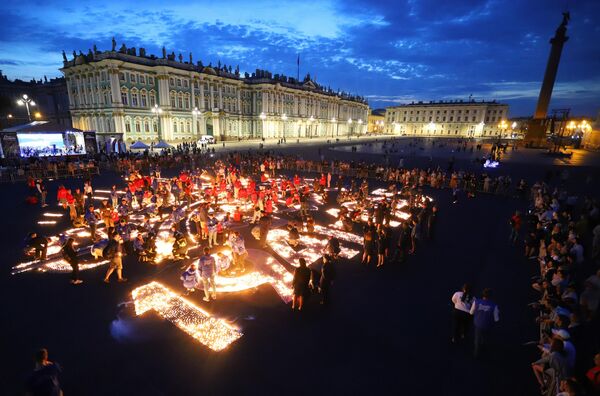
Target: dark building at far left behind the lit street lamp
point(50, 97)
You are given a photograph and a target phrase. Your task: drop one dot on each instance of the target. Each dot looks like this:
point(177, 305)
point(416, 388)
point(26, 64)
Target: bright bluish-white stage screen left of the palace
point(51, 144)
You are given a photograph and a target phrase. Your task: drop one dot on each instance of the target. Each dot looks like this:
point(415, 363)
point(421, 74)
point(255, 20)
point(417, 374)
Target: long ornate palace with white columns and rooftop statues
point(131, 96)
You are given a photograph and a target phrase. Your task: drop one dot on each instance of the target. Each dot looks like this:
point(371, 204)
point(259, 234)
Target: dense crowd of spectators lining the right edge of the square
point(561, 236)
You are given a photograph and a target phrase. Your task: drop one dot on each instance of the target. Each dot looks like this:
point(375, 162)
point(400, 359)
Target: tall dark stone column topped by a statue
point(536, 132)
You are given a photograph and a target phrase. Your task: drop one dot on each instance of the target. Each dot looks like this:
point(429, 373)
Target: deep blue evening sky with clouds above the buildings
point(389, 51)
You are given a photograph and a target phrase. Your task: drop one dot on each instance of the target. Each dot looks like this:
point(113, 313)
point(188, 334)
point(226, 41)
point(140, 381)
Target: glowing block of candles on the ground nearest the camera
point(215, 333)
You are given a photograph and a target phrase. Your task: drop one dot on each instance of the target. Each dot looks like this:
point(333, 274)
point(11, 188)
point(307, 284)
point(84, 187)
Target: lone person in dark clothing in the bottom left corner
point(43, 381)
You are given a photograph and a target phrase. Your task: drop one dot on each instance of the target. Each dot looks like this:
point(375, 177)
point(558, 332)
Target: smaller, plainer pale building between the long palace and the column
point(448, 119)
